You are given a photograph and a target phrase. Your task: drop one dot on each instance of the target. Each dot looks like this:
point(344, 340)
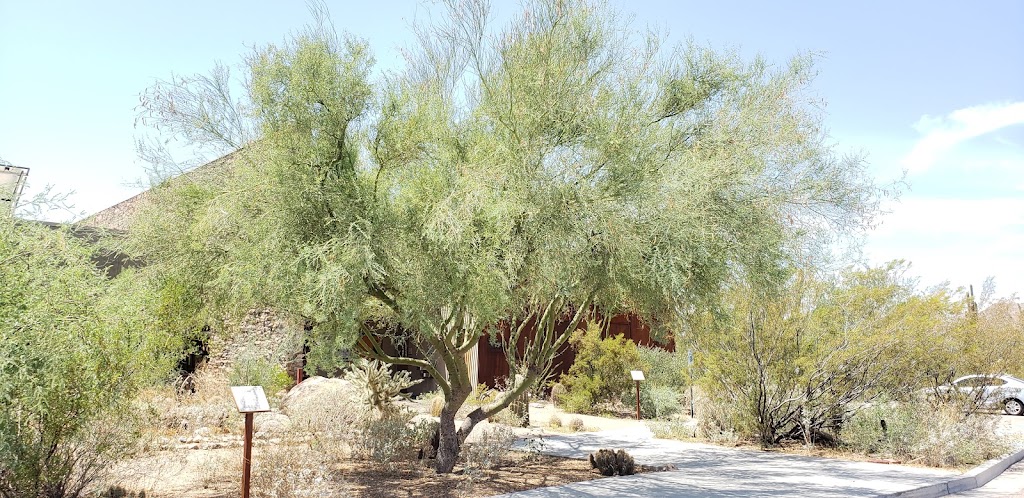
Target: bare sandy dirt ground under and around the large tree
point(188, 472)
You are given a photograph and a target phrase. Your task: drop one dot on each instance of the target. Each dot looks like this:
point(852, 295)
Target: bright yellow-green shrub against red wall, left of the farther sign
point(601, 375)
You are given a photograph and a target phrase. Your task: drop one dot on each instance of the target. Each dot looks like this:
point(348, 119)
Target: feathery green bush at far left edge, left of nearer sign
point(71, 358)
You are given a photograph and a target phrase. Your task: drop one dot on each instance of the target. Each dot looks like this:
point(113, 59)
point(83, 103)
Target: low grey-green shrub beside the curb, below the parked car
point(940, 435)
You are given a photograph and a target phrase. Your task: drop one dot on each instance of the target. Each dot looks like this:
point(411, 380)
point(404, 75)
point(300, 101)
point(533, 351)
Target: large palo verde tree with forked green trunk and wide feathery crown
point(502, 179)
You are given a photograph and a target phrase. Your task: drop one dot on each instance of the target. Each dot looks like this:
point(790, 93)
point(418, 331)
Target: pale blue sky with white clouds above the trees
point(928, 93)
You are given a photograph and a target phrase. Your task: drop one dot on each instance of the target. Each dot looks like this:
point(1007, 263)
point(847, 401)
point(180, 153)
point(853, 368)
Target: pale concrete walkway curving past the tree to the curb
point(706, 471)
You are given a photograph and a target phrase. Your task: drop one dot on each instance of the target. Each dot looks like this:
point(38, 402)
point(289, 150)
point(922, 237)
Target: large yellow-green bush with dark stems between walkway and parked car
point(790, 364)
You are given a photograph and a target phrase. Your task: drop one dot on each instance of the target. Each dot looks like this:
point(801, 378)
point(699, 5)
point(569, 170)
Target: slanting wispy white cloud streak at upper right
point(945, 133)
